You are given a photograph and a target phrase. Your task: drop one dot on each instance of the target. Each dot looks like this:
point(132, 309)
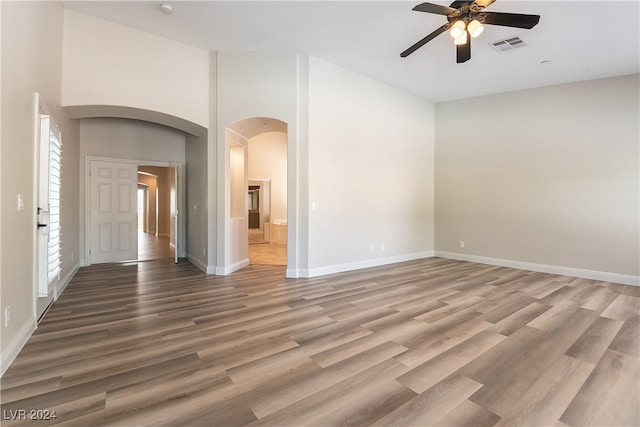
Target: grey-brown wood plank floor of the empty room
point(429, 342)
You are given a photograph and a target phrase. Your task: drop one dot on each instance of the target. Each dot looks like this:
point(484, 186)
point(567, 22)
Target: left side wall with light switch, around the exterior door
point(31, 62)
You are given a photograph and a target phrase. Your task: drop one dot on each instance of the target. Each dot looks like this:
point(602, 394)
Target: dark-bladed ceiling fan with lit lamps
point(465, 20)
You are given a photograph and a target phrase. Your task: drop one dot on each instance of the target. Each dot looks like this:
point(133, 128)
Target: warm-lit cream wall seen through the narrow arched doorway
point(268, 160)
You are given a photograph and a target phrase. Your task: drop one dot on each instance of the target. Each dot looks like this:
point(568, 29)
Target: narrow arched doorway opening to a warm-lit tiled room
point(257, 221)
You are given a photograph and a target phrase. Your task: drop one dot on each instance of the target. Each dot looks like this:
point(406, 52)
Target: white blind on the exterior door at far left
point(54, 255)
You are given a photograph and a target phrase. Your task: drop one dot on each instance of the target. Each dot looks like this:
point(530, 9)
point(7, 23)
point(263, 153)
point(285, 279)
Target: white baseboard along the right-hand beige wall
point(544, 268)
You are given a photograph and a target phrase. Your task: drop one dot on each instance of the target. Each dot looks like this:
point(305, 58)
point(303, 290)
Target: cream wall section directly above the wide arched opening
point(110, 64)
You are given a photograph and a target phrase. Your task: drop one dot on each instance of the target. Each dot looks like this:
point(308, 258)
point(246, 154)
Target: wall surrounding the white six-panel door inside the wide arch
point(126, 139)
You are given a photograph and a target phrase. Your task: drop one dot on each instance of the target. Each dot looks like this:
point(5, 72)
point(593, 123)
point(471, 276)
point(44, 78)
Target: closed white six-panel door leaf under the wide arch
point(113, 212)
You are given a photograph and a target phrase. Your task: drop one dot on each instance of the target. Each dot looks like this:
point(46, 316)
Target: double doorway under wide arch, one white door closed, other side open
point(137, 221)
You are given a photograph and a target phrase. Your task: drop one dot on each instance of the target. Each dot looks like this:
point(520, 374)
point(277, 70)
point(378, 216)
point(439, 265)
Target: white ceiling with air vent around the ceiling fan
point(582, 40)
